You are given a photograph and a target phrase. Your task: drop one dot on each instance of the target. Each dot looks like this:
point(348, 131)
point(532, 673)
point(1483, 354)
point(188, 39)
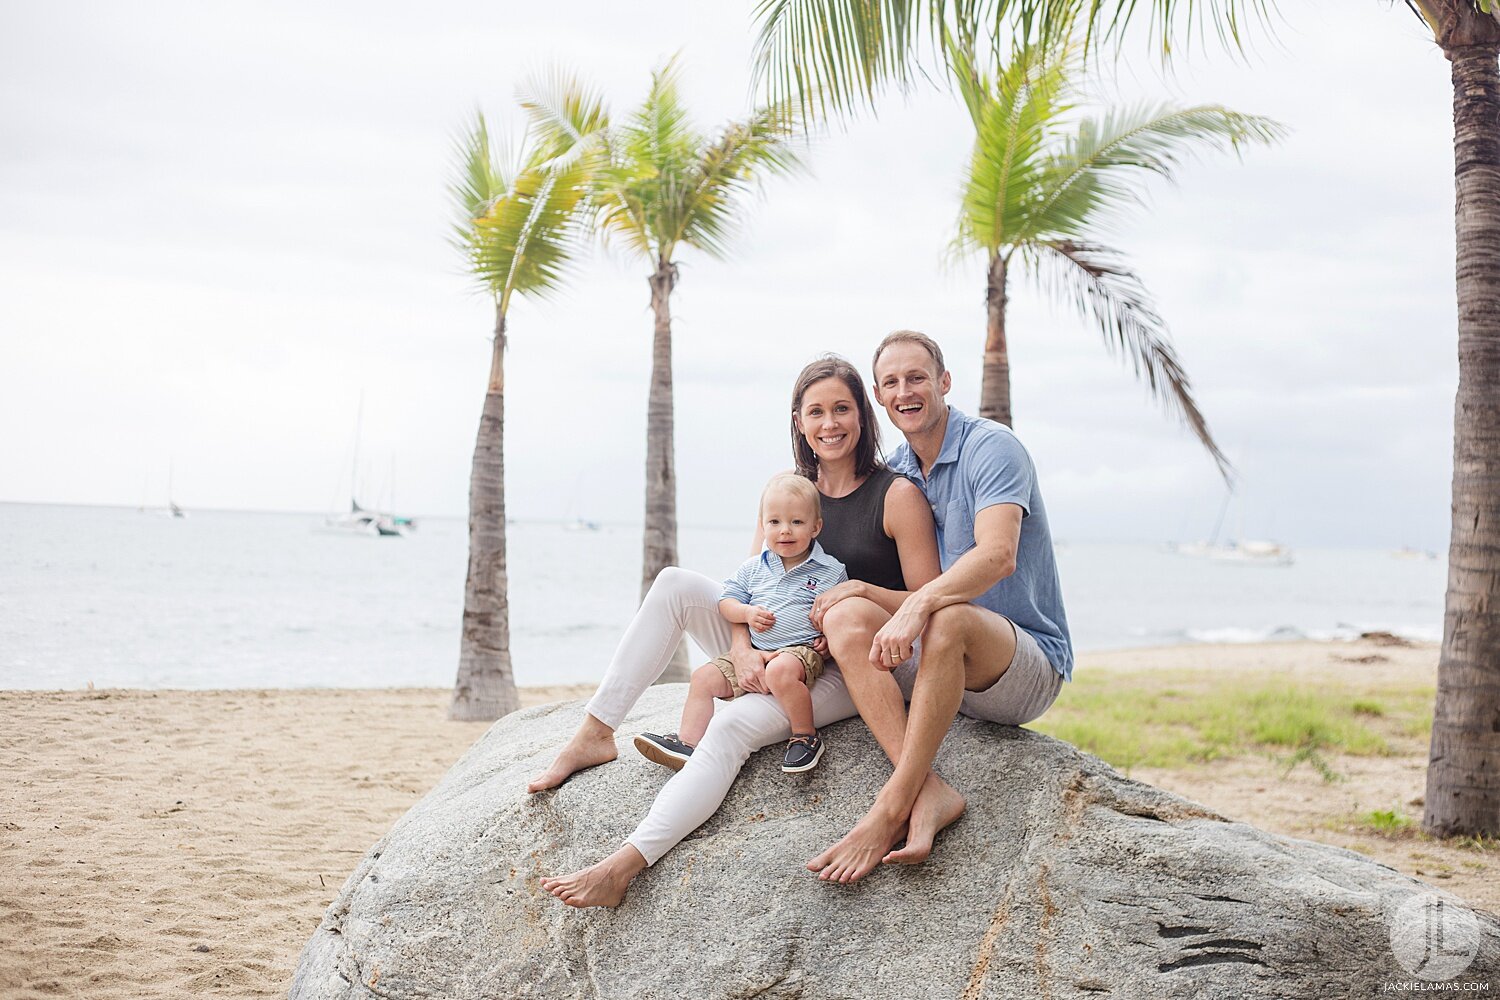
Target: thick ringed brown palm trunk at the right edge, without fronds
point(1463, 777)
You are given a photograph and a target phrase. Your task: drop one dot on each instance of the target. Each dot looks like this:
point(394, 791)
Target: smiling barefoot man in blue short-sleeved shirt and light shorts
point(994, 635)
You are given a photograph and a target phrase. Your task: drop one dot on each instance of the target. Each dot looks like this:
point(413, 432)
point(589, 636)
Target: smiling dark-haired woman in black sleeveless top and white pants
point(875, 522)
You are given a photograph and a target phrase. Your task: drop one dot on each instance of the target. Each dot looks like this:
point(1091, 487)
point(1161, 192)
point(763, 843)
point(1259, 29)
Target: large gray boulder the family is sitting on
point(1063, 881)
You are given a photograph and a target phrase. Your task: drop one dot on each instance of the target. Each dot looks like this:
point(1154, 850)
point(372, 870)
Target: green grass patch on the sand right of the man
point(1180, 719)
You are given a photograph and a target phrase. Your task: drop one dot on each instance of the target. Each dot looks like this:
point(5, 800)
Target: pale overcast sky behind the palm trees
point(224, 250)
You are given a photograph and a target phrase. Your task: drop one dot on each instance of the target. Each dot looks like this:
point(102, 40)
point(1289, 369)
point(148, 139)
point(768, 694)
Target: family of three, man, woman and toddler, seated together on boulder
point(932, 581)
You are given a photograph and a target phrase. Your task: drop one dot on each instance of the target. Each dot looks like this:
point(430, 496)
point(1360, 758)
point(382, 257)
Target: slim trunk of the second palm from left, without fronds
point(661, 528)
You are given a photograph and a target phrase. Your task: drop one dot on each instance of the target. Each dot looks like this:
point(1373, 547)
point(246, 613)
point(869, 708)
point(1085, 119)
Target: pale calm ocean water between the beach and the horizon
point(221, 600)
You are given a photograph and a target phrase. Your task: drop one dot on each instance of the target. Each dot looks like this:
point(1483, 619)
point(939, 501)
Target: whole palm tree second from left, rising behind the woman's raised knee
point(670, 187)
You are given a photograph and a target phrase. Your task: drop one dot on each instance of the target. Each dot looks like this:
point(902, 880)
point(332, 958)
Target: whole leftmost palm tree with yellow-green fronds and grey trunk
point(517, 226)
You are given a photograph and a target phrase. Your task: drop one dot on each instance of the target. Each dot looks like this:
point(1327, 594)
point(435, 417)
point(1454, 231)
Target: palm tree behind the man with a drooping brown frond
point(1037, 190)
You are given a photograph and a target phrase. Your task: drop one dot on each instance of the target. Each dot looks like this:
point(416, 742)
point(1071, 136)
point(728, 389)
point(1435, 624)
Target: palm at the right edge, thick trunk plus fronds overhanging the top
point(848, 49)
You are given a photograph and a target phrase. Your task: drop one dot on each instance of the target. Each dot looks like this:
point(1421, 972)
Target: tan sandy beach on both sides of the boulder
point(187, 843)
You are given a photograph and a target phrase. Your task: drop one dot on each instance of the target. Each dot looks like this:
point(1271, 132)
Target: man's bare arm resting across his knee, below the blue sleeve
point(997, 539)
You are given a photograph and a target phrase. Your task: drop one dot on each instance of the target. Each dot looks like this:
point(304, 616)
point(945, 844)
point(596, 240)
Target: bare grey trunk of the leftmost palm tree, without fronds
point(487, 687)
